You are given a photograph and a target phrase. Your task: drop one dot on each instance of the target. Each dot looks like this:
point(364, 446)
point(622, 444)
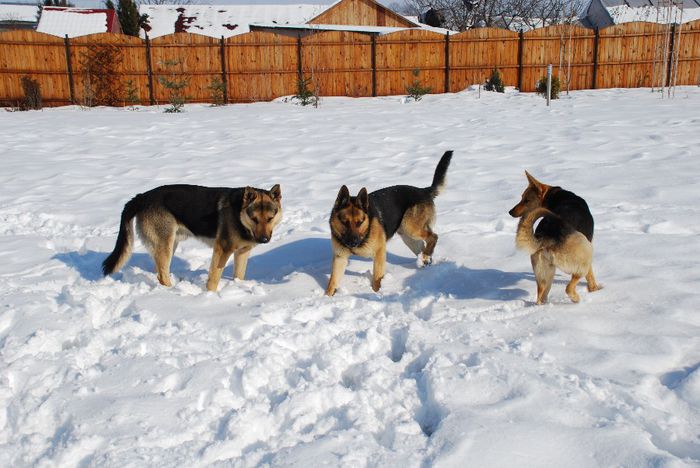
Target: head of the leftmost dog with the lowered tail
point(261, 211)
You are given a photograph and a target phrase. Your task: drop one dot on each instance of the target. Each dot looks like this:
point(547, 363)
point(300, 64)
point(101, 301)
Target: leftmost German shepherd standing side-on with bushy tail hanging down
point(231, 220)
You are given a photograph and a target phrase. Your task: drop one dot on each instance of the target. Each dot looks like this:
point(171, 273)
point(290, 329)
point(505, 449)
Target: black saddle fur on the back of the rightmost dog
point(571, 208)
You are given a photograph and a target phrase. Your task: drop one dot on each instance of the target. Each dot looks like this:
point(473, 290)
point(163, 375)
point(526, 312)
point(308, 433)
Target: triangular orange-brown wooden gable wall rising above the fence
point(361, 13)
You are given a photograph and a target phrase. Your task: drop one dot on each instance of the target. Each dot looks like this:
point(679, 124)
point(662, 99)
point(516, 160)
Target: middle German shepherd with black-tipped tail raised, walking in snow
point(363, 224)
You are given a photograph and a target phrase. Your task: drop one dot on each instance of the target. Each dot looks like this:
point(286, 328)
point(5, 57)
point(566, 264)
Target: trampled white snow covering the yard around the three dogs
point(450, 365)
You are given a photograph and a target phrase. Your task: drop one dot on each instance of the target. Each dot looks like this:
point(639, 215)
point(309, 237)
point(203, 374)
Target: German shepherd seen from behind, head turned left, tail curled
point(563, 239)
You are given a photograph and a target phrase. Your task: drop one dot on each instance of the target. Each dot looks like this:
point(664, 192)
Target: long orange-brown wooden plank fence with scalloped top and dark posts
point(260, 66)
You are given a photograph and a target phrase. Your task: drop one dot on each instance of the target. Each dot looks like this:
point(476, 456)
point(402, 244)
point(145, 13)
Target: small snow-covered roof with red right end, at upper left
point(74, 21)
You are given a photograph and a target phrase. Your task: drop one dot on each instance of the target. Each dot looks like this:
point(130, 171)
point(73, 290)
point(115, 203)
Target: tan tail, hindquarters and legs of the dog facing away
point(573, 256)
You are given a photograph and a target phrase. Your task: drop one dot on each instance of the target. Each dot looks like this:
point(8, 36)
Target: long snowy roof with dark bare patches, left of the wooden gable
point(223, 20)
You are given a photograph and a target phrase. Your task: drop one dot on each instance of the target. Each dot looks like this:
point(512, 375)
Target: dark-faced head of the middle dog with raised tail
point(350, 217)
